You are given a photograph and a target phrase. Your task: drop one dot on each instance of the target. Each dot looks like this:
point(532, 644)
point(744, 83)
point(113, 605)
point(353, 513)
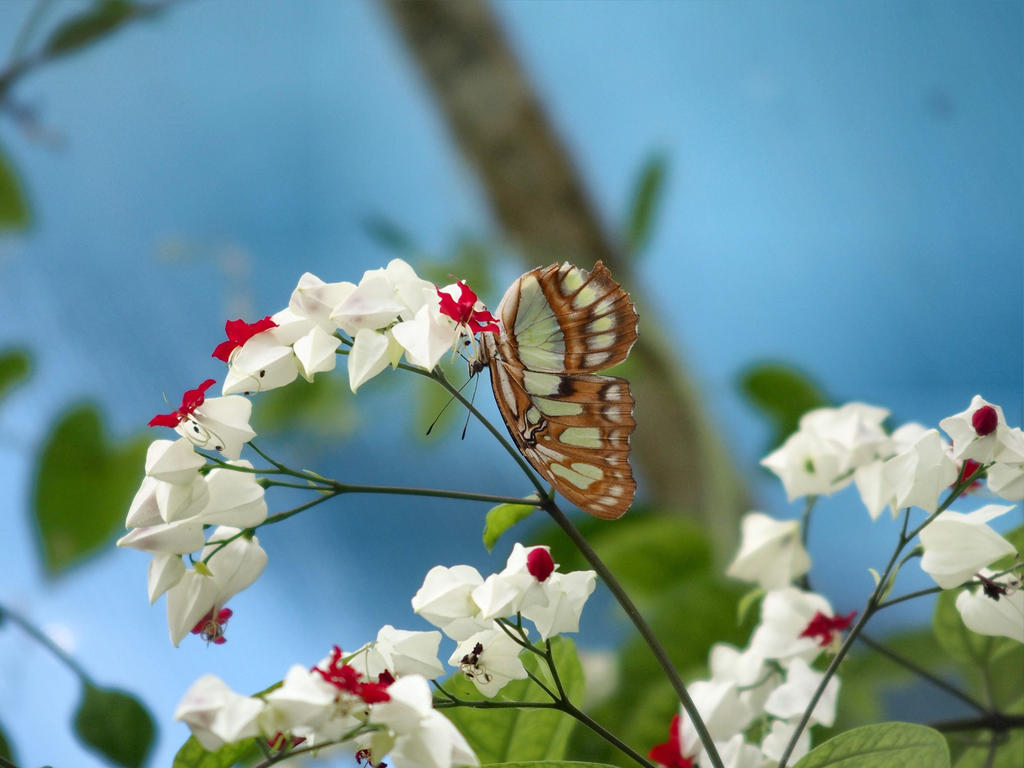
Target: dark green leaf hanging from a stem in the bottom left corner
point(115, 724)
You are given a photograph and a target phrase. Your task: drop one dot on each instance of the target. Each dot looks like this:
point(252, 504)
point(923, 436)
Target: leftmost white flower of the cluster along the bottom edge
point(217, 715)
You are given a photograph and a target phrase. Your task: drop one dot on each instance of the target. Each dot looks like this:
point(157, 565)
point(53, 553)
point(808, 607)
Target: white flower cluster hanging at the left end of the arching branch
point(170, 517)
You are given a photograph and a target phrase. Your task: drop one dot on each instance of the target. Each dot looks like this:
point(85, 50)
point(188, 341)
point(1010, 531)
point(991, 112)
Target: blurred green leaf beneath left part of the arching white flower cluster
point(323, 408)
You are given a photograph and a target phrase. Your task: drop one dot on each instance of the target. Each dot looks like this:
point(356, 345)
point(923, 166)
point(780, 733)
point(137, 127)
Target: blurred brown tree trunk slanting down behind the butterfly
point(540, 201)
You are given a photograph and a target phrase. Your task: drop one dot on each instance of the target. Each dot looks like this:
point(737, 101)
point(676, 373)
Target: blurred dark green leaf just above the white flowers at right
point(782, 394)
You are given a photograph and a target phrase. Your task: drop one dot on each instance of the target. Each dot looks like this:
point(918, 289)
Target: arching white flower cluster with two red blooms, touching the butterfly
point(390, 314)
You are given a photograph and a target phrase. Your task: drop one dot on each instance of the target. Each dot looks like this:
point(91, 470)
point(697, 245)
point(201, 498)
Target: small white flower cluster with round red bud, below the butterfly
point(465, 606)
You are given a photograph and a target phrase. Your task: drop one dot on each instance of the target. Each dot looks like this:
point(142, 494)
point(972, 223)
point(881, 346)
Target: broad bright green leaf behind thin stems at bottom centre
point(504, 736)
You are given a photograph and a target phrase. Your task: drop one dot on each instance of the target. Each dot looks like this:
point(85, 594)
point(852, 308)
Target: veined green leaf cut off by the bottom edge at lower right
point(883, 746)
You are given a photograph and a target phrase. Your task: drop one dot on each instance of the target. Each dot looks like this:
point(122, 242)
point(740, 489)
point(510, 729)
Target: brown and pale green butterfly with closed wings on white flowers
point(561, 325)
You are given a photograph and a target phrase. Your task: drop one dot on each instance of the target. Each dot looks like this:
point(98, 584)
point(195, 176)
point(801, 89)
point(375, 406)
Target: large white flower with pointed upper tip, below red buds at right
point(957, 545)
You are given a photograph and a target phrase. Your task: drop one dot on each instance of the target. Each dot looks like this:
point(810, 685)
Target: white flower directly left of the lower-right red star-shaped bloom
point(785, 615)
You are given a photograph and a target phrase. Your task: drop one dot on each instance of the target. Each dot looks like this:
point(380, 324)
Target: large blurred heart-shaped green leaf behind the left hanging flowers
point(83, 487)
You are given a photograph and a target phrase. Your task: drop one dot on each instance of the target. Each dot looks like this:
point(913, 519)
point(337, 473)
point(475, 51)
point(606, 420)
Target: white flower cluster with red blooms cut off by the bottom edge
point(339, 703)
